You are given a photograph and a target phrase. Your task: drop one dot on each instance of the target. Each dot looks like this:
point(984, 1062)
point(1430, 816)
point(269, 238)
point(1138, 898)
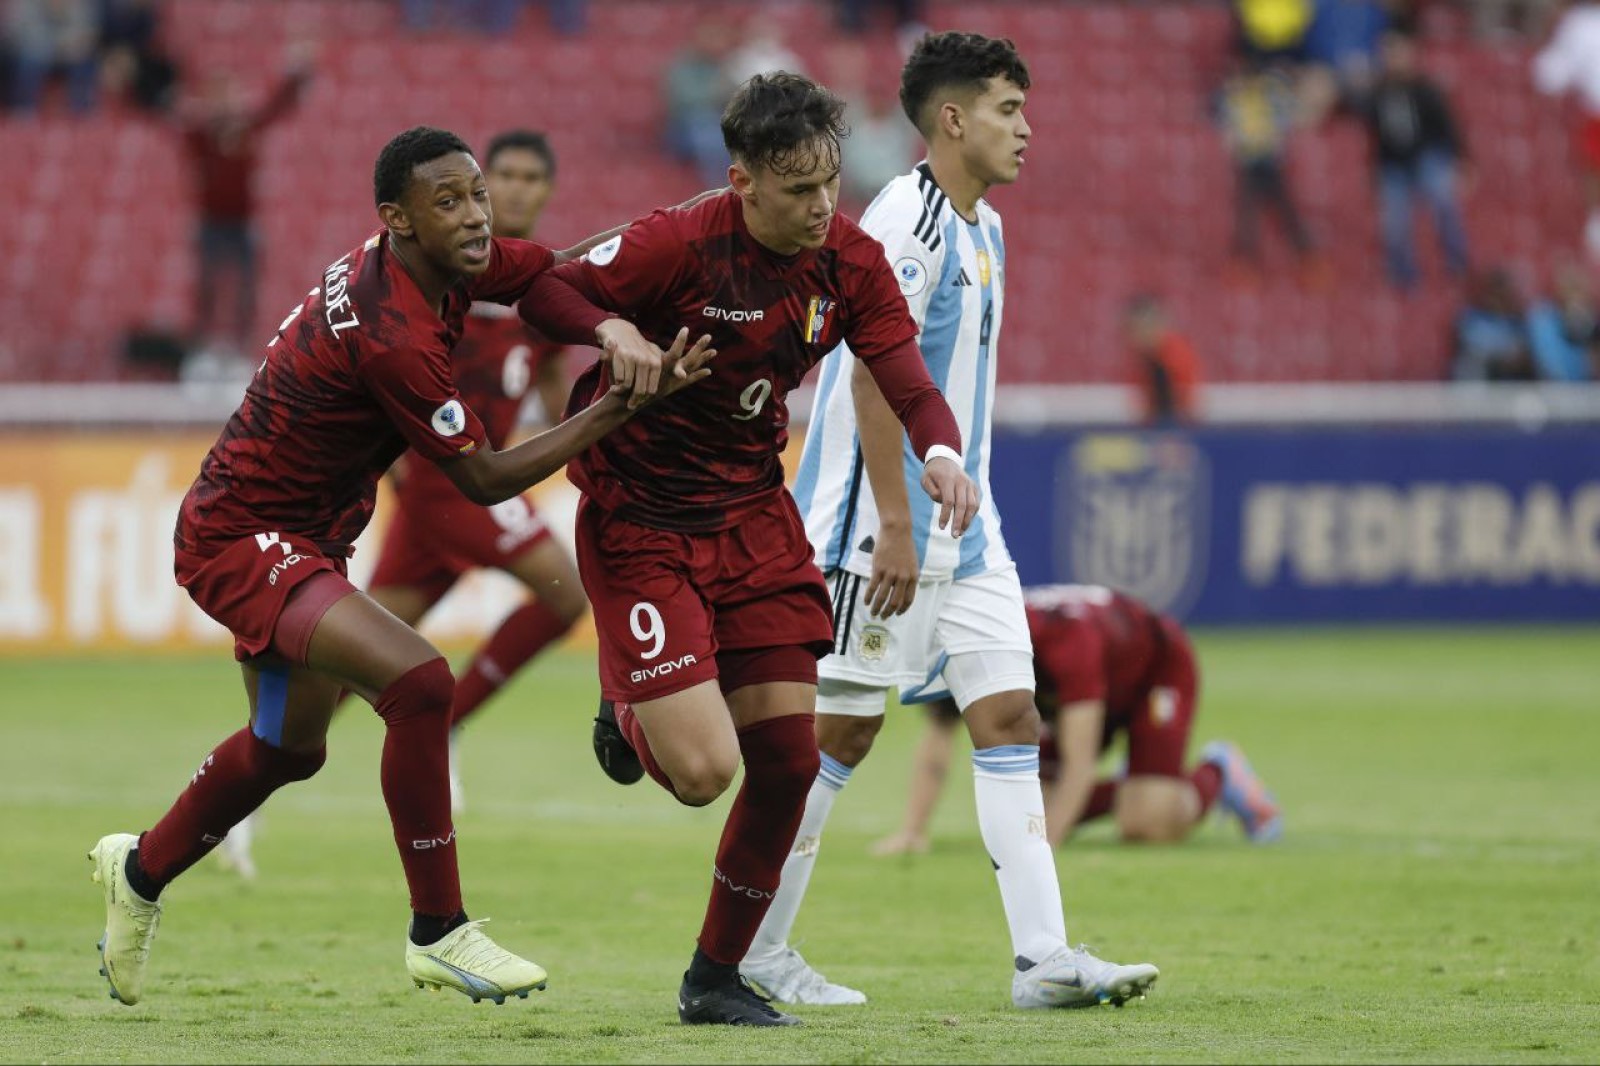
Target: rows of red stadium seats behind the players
point(1127, 186)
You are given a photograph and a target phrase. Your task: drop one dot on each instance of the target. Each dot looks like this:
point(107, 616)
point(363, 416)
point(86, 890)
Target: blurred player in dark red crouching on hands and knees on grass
point(1106, 667)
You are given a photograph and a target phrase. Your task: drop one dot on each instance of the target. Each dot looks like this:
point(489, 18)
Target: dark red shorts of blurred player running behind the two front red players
point(439, 537)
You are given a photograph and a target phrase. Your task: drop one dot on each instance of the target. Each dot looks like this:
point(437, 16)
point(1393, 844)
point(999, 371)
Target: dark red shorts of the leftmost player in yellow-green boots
point(246, 587)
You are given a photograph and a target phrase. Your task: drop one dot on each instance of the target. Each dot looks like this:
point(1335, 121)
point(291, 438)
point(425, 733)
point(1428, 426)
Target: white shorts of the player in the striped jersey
point(969, 636)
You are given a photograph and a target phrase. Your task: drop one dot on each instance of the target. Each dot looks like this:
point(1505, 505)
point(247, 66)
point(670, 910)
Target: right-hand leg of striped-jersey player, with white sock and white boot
point(1012, 820)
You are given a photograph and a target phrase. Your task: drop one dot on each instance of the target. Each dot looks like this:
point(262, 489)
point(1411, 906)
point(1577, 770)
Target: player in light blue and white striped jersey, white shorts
point(906, 593)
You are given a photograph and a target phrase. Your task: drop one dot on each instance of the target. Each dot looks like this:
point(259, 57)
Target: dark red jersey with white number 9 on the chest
point(710, 455)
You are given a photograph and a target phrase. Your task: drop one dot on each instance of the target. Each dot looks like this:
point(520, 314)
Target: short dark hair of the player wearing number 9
point(775, 121)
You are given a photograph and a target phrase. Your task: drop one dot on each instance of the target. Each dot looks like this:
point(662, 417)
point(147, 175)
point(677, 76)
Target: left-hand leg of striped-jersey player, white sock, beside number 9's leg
point(844, 740)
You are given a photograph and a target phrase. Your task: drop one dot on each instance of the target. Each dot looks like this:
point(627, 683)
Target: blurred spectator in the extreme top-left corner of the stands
point(54, 38)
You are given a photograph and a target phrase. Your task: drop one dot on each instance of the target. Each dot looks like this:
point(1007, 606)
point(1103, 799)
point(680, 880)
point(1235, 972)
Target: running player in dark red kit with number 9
point(710, 607)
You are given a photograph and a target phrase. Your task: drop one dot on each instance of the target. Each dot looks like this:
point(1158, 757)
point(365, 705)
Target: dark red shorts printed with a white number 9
point(666, 604)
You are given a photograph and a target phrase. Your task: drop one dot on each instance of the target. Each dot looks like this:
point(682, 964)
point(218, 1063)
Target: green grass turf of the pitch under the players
point(1438, 897)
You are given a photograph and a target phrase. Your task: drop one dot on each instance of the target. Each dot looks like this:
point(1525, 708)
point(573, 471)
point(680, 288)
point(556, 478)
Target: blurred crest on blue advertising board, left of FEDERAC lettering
point(1135, 511)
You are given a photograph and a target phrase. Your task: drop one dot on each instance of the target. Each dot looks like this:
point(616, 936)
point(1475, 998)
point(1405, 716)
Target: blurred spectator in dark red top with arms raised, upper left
point(223, 138)
